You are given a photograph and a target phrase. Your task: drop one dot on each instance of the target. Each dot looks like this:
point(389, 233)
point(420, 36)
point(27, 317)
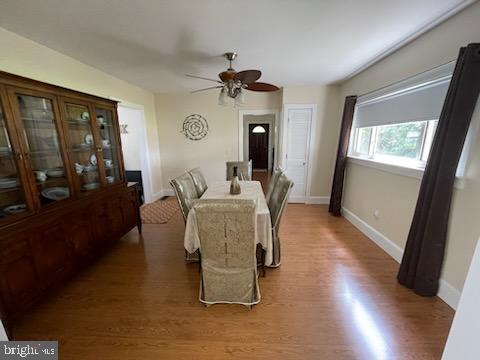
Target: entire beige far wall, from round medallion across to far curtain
point(180, 154)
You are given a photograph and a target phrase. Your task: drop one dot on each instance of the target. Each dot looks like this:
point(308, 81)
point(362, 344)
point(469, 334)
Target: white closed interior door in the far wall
point(297, 150)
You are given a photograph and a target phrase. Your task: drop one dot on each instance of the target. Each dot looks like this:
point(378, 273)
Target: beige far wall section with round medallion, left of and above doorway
point(221, 144)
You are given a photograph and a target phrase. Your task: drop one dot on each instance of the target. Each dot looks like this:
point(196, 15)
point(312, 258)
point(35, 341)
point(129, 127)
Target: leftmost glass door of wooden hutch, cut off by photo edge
point(12, 193)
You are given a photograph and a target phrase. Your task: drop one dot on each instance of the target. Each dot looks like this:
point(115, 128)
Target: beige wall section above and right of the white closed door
point(327, 123)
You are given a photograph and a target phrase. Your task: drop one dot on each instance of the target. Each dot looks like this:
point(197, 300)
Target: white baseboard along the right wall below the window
point(446, 291)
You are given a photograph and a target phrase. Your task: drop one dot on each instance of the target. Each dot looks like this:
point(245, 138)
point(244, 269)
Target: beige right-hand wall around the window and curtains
point(395, 196)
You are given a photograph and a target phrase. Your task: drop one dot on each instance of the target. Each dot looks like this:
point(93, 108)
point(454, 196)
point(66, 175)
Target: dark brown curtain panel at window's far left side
point(337, 185)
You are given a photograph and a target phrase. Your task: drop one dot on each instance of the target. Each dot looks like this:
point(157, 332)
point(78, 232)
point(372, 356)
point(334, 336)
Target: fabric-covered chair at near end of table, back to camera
point(226, 229)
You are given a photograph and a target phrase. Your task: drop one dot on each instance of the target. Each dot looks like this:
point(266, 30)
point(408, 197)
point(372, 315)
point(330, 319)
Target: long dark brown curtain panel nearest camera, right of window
point(424, 251)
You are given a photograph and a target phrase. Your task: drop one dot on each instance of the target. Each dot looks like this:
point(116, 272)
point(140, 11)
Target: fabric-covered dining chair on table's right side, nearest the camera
point(276, 205)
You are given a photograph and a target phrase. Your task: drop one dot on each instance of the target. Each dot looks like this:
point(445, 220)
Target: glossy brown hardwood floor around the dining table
point(334, 297)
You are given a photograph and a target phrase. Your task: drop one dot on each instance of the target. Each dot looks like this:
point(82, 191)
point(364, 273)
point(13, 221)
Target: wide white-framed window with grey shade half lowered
point(396, 125)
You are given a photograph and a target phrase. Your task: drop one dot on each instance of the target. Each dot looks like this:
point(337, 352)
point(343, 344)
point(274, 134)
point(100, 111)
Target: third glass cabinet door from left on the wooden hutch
point(82, 146)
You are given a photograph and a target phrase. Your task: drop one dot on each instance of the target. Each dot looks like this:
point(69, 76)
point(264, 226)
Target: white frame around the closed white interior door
point(311, 142)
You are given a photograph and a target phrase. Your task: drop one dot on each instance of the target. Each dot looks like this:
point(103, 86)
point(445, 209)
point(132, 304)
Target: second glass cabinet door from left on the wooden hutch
point(43, 147)
